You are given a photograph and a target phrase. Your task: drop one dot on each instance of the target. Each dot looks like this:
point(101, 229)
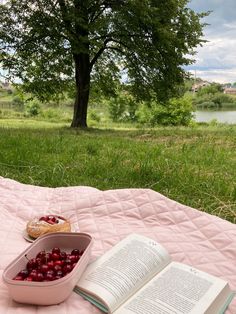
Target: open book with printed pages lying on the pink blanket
point(137, 276)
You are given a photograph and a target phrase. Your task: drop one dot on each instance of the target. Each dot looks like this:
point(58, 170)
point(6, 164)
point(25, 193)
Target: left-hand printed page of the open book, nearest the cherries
point(123, 270)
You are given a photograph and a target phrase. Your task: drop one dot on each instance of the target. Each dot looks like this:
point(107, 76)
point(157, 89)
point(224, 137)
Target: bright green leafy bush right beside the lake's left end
point(177, 111)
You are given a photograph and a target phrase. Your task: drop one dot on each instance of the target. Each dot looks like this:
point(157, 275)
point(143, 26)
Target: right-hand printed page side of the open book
point(178, 289)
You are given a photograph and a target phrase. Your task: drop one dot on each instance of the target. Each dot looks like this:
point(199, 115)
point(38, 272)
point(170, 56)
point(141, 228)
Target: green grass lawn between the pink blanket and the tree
point(194, 166)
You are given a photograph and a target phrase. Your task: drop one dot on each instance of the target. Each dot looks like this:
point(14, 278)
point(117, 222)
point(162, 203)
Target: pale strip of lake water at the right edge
point(221, 116)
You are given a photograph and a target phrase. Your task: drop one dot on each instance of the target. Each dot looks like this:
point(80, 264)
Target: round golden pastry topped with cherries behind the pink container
point(47, 224)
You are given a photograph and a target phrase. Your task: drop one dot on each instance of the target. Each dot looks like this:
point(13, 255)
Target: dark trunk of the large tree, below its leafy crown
point(82, 78)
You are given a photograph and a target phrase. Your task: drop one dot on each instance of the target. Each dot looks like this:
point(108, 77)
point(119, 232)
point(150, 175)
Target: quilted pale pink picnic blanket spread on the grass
point(191, 236)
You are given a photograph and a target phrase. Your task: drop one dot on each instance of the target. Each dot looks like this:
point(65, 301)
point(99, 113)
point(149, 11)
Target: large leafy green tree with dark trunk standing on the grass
point(52, 44)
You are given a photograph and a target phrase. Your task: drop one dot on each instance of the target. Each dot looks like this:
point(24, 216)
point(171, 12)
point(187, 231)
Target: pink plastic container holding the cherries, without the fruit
point(51, 292)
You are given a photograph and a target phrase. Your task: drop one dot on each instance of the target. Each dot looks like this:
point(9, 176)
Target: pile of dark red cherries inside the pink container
point(48, 266)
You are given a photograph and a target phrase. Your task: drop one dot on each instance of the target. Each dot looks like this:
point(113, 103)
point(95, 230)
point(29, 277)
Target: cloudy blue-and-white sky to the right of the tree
point(216, 60)
